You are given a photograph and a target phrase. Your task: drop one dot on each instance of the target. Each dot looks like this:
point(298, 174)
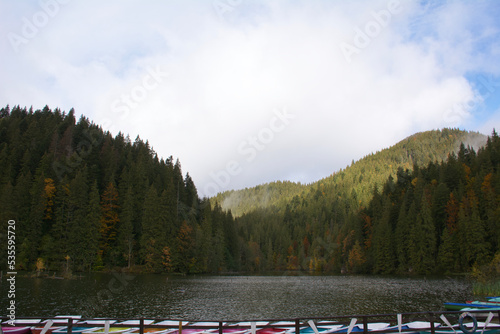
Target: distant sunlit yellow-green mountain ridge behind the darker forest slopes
point(360, 177)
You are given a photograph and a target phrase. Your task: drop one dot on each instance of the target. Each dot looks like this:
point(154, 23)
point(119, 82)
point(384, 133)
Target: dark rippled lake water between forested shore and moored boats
point(230, 297)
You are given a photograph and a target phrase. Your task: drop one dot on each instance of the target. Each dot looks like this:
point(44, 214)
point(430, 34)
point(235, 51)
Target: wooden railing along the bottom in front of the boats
point(293, 324)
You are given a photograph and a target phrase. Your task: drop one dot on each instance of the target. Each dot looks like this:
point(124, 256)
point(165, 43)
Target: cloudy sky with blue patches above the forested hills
point(245, 92)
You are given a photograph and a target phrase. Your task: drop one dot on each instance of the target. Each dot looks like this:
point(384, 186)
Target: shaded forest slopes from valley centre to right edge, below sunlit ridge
point(443, 217)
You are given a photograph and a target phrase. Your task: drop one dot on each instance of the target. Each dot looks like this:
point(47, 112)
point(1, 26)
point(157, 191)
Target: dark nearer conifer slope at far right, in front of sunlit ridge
point(443, 217)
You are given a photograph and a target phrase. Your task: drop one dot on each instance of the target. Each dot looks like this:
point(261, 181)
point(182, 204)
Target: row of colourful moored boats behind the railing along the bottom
point(467, 324)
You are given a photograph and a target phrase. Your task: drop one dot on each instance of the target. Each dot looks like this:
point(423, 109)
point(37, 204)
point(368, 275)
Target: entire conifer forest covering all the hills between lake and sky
point(84, 200)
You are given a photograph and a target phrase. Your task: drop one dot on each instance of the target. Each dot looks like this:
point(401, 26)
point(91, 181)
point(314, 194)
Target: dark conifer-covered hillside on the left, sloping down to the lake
point(84, 200)
